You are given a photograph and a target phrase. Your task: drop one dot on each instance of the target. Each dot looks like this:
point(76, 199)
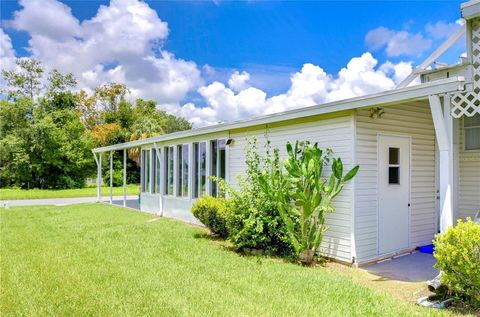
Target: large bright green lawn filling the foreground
point(100, 260)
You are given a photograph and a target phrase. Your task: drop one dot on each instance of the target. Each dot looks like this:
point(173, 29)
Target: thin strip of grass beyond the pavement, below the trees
point(14, 194)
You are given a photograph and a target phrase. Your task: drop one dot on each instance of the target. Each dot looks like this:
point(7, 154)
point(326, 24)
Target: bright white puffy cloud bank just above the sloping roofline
point(309, 86)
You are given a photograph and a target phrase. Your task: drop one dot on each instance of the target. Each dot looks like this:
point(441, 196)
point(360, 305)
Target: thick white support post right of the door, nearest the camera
point(443, 123)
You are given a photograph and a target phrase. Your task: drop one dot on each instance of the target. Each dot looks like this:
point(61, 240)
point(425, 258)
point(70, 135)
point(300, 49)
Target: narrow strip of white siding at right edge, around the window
point(468, 179)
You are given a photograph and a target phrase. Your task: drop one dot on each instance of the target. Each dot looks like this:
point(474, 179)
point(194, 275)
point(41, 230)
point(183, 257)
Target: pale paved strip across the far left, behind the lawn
point(132, 201)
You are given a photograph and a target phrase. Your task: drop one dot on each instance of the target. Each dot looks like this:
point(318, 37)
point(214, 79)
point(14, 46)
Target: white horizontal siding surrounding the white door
point(413, 120)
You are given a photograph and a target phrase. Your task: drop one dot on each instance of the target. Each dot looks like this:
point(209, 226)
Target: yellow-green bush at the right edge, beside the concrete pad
point(458, 257)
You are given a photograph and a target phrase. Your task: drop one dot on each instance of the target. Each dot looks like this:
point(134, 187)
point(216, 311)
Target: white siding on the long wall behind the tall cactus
point(332, 132)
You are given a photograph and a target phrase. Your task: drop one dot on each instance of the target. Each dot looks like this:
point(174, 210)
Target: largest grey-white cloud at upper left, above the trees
point(122, 43)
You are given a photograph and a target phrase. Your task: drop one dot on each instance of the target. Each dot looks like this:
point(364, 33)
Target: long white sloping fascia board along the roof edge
point(385, 98)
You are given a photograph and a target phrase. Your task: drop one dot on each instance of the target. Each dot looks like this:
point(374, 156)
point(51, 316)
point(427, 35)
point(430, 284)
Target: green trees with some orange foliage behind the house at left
point(48, 129)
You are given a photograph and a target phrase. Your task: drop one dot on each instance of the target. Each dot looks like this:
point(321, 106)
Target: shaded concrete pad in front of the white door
point(415, 267)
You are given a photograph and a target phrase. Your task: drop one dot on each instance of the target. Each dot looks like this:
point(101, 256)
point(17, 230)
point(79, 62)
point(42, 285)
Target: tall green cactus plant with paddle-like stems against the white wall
point(304, 195)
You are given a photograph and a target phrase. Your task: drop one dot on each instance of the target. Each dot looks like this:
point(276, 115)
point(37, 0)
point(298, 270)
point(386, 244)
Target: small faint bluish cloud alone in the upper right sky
point(397, 43)
